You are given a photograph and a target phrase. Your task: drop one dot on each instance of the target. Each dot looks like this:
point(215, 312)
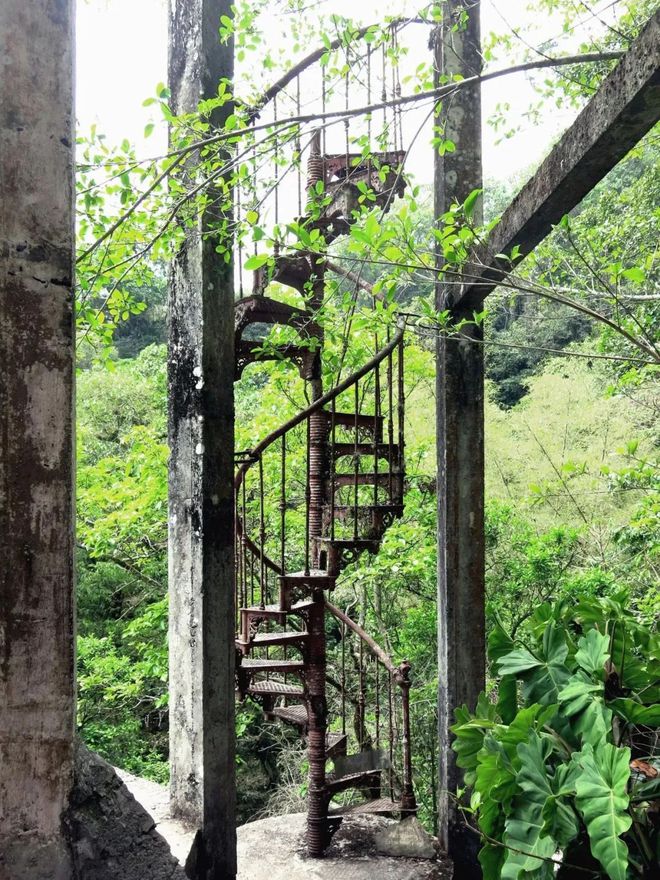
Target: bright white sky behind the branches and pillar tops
point(122, 55)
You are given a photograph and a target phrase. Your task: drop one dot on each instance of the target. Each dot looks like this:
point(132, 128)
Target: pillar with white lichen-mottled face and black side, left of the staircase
point(201, 436)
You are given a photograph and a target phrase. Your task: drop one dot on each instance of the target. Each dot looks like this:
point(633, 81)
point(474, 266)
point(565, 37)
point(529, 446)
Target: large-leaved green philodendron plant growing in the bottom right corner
point(562, 773)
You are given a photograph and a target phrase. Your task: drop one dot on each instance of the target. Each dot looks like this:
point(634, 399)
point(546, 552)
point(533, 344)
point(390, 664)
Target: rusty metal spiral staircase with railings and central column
point(346, 450)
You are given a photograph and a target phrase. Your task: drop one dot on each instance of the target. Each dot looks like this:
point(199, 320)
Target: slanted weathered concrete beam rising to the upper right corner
point(623, 110)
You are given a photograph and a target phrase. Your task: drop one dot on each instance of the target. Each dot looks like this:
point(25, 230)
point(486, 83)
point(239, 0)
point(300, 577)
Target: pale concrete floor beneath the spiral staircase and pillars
point(273, 849)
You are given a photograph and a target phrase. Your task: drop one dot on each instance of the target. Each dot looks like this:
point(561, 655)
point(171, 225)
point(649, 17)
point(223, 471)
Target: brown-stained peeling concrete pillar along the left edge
point(36, 436)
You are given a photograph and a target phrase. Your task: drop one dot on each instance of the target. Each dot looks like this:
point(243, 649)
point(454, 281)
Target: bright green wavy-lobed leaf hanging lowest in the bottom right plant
point(602, 799)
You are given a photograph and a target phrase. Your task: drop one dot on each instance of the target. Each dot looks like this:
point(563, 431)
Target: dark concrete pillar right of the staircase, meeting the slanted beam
point(460, 437)
